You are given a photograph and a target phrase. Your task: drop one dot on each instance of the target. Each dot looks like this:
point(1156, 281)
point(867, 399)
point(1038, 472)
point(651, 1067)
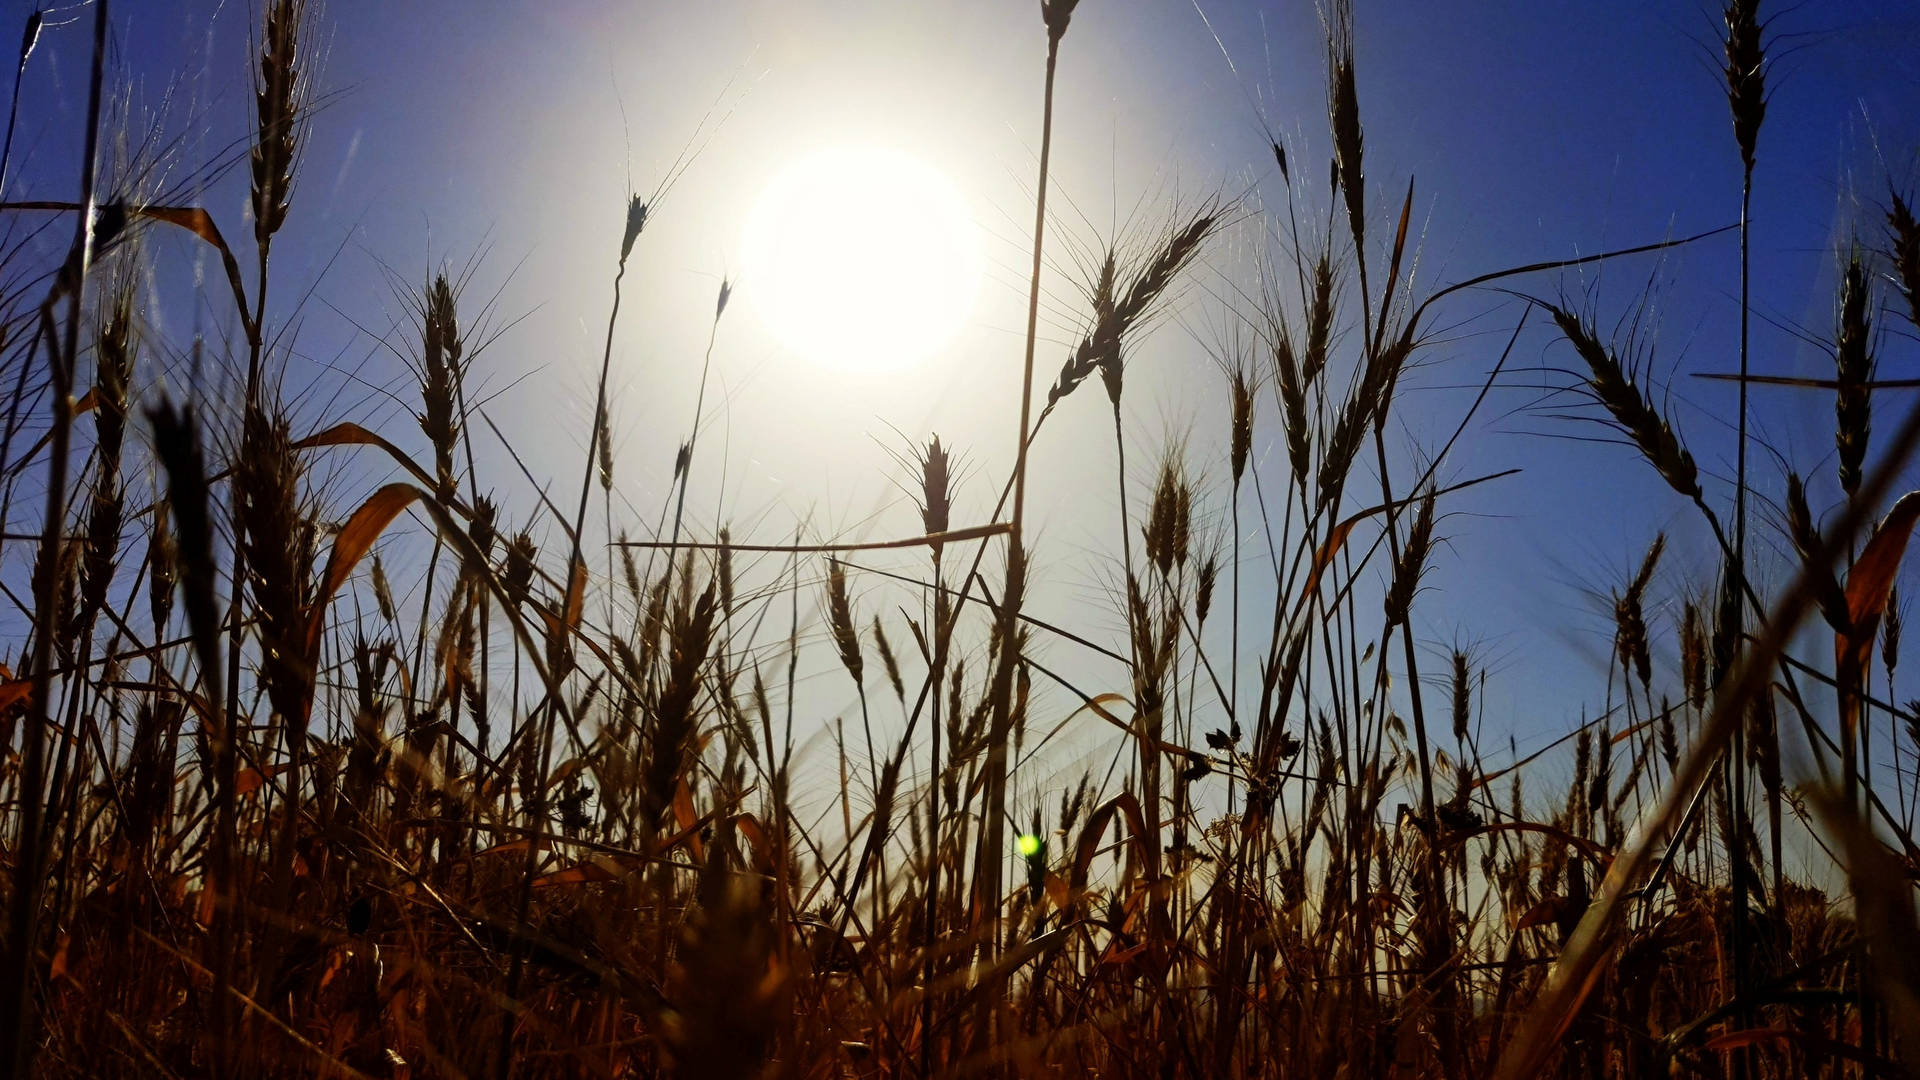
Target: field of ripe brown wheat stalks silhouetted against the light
point(537, 804)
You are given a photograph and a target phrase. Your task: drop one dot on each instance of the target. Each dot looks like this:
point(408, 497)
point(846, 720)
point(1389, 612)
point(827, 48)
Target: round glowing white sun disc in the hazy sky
point(861, 258)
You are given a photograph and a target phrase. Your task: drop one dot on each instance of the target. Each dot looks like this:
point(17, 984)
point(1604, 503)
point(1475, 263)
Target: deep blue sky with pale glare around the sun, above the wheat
point(506, 135)
